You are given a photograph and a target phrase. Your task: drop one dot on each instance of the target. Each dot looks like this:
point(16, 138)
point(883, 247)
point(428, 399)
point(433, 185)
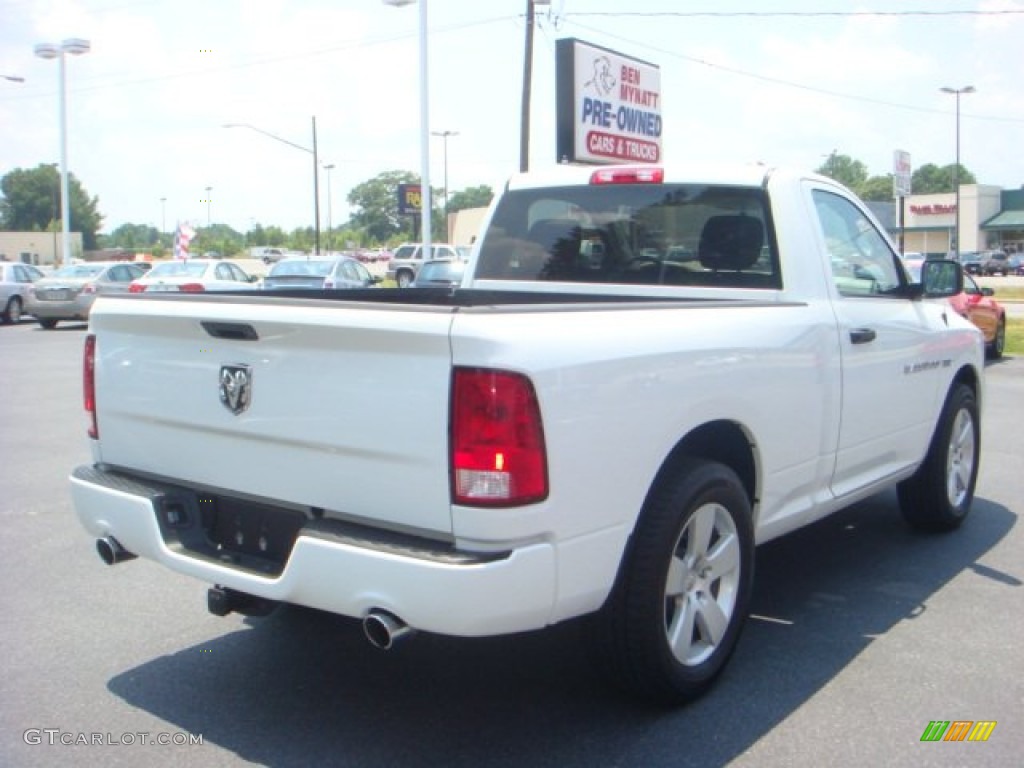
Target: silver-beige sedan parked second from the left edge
point(68, 293)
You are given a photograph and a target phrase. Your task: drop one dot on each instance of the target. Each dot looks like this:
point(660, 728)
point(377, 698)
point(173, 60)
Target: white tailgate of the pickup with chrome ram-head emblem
point(348, 411)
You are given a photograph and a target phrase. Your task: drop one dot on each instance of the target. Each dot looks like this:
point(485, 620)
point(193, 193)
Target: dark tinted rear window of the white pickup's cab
point(652, 235)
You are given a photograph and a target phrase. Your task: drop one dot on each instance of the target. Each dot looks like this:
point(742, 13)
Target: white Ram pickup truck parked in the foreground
point(646, 373)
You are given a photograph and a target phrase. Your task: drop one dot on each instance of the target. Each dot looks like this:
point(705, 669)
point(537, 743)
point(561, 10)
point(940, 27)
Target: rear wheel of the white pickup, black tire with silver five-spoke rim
point(688, 574)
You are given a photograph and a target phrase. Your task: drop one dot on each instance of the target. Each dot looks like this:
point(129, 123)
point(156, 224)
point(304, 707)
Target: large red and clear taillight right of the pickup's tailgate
point(498, 454)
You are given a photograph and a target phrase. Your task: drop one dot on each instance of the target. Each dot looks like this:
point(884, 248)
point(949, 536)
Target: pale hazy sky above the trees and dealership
point(784, 82)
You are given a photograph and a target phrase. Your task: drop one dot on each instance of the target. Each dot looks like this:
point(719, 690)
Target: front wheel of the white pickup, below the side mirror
point(938, 497)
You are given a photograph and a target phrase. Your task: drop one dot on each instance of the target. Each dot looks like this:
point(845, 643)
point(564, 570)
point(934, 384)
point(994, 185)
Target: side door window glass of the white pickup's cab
point(863, 264)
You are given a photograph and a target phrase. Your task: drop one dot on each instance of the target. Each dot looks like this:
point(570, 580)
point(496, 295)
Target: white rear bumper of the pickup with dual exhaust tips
point(342, 571)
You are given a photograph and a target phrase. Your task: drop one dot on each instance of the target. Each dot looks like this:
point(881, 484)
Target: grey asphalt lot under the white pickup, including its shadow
point(863, 634)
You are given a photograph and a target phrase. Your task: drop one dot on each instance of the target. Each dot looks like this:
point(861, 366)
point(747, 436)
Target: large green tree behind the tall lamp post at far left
point(32, 202)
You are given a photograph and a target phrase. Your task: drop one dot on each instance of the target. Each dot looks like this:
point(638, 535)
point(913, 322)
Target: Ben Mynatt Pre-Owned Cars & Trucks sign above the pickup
point(610, 106)
